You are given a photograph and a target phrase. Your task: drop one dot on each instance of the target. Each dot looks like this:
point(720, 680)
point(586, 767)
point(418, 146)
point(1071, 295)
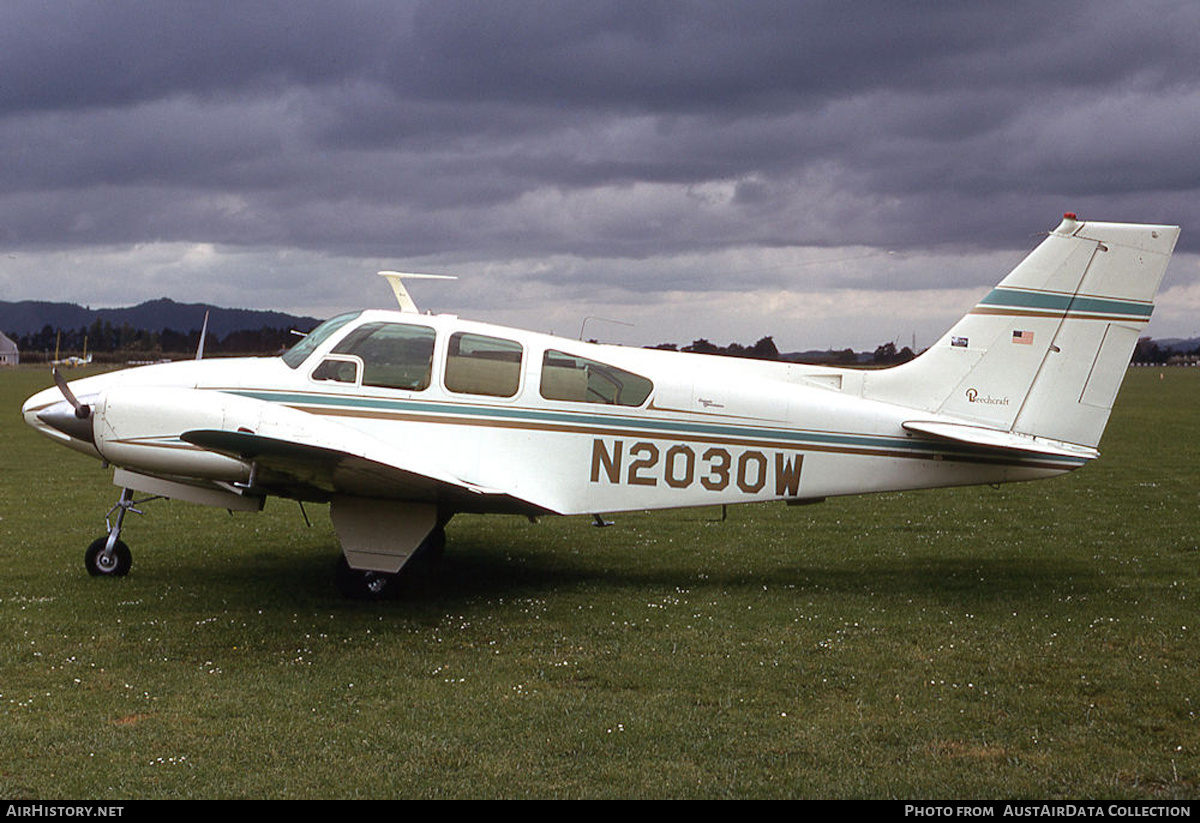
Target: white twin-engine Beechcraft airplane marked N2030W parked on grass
point(399, 420)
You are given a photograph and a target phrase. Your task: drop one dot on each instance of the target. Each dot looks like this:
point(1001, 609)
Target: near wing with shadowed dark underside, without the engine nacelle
point(301, 470)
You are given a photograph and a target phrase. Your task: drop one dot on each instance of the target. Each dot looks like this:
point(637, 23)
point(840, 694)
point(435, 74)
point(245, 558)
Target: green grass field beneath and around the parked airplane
point(1033, 641)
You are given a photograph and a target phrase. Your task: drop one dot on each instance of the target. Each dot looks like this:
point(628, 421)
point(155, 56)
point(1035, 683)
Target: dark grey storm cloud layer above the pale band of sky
point(621, 129)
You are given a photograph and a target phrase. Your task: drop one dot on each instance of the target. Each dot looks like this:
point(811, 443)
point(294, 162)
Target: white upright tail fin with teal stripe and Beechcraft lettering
point(1045, 353)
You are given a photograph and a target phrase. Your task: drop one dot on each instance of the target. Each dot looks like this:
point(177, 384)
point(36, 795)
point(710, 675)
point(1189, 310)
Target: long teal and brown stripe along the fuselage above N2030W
point(649, 426)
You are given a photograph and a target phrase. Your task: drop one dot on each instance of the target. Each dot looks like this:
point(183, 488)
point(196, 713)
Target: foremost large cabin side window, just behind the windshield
point(395, 356)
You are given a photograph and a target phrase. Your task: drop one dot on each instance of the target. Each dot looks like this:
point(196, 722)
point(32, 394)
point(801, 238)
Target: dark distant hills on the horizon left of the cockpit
point(32, 316)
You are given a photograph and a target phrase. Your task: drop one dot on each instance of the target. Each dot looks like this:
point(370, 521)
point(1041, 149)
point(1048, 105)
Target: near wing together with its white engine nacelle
point(291, 453)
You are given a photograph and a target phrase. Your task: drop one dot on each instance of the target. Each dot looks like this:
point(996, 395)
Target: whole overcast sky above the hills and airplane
point(831, 173)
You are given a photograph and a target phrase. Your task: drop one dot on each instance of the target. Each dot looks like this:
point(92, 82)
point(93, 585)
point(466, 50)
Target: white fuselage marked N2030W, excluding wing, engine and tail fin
point(710, 430)
